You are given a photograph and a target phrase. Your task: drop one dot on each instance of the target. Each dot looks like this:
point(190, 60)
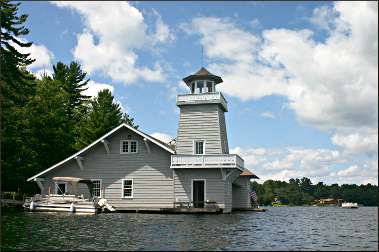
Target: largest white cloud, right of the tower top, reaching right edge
point(331, 85)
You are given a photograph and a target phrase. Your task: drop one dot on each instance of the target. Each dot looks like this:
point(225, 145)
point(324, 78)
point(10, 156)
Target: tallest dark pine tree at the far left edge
point(17, 87)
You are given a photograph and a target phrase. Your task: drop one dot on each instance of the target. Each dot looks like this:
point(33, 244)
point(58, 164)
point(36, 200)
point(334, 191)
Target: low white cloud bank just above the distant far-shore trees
point(316, 164)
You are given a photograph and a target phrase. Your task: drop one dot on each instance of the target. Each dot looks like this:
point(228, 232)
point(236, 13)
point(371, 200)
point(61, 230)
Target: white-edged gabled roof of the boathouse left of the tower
point(150, 138)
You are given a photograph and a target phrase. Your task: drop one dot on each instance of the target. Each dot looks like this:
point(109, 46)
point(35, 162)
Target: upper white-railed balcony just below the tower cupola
point(203, 98)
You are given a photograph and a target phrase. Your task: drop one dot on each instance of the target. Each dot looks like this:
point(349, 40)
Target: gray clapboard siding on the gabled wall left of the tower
point(151, 173)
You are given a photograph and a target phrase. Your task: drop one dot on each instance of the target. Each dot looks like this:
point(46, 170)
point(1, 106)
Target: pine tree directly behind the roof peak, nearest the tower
point(104, 115)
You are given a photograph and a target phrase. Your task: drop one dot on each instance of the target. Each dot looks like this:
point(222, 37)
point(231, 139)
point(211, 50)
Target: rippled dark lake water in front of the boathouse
point(279, 228)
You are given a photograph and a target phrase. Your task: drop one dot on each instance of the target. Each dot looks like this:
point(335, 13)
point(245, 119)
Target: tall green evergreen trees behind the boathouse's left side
point(47, 118)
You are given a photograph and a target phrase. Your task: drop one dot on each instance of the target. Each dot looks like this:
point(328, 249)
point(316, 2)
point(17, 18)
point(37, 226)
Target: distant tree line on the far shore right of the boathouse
point(303, 192)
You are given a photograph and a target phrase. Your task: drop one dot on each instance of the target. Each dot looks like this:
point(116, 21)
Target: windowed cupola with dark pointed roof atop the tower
point(202, 82)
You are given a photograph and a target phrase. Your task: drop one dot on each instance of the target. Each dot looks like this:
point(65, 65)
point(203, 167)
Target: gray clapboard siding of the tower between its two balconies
point(201, 122)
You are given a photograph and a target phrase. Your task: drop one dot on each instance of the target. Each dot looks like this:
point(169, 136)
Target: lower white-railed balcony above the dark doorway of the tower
point(207, 161)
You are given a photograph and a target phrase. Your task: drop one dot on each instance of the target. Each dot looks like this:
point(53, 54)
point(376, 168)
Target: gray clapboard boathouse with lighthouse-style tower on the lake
point(135, 171)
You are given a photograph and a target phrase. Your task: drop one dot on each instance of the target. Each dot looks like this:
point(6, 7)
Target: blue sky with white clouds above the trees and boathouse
point(300, 78)
